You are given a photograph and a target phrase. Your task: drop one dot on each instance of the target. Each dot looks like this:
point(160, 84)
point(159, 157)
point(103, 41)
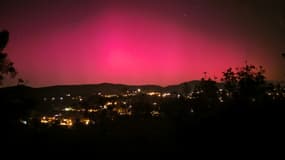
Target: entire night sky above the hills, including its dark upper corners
point(160, 42)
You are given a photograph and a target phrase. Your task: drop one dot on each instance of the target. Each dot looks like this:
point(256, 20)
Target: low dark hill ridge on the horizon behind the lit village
point(84, 90)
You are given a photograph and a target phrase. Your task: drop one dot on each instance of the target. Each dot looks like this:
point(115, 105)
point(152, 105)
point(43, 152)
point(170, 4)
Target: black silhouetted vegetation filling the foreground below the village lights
point(248, 113)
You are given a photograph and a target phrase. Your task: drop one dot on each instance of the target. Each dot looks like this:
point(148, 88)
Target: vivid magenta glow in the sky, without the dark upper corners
point(130, 46)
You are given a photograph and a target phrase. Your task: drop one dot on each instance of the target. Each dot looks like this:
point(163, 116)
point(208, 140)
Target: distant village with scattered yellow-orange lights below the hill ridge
point(71, 110)
